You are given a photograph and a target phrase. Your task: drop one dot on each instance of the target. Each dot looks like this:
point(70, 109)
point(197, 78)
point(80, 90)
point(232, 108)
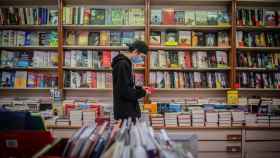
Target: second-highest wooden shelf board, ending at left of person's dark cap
point(97, 47)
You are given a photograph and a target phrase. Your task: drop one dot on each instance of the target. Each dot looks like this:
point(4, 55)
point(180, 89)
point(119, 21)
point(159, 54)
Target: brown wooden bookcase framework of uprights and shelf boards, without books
point(231, 28)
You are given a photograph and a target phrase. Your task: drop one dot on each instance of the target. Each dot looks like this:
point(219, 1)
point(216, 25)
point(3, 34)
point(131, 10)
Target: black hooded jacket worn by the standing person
point(125, 93)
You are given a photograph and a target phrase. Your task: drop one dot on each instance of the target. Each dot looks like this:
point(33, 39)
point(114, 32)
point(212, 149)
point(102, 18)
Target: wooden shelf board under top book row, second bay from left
point(103, 27)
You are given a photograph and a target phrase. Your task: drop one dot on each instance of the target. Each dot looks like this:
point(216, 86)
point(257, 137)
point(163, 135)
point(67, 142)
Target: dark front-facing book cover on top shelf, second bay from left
point(98, 16)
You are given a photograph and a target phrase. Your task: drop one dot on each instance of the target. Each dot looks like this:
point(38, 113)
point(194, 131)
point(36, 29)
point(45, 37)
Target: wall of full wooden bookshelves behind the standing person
point(208, 47)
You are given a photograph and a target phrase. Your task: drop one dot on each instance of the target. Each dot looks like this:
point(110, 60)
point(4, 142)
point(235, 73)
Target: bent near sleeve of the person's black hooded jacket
point(125, 89)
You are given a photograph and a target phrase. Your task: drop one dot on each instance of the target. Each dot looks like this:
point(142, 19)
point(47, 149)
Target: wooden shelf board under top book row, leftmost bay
point(29, 27)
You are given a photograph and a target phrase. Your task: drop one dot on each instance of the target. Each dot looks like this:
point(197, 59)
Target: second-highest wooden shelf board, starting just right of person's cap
point(152, 47)
